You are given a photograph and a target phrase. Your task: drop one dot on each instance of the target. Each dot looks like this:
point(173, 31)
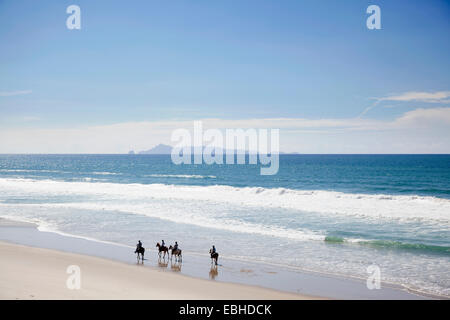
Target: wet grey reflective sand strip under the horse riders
point(265, 277)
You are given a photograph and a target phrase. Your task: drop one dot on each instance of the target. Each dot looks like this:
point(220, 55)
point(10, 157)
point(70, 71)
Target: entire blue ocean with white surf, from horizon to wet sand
point(333, 214)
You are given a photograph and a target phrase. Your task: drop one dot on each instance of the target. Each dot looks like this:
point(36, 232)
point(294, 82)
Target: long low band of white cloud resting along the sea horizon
point(416, 131)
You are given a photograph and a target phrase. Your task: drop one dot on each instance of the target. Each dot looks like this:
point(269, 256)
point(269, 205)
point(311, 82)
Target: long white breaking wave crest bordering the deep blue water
point(324, 202)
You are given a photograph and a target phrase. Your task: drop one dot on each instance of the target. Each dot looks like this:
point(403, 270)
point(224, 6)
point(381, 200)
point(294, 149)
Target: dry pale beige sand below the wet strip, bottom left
point(35, 273)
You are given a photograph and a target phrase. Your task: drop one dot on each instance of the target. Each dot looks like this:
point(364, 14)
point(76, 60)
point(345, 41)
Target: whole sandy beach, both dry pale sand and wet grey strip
point(34, 266)
